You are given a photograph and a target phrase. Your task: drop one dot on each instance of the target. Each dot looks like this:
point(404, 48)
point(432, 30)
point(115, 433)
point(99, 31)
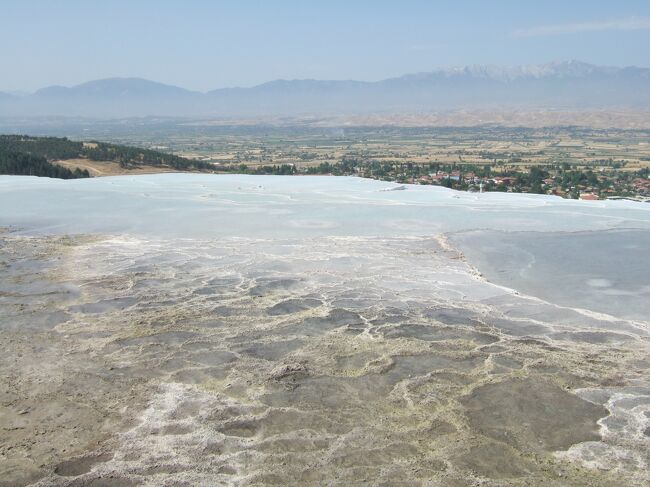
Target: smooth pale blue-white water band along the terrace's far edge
point(206, 206)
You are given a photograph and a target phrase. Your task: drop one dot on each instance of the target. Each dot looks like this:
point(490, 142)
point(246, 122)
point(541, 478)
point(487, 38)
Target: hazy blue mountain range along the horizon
point(570, 84)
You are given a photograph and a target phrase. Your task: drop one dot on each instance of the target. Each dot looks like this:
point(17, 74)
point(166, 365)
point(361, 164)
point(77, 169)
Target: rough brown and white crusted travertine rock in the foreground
point(248, 362)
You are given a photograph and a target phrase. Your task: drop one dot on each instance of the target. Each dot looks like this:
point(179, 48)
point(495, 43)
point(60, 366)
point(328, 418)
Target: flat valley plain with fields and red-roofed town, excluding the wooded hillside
point(569, 162)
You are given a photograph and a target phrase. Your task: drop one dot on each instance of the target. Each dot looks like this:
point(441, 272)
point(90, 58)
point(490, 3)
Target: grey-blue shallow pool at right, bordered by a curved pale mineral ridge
point(606, 271)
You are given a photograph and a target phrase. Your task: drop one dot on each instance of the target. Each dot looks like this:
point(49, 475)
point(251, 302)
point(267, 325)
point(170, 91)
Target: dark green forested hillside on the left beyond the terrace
point(21, 154)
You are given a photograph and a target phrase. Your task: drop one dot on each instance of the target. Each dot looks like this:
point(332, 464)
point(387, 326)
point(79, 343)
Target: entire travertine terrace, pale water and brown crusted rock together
point(233, 330)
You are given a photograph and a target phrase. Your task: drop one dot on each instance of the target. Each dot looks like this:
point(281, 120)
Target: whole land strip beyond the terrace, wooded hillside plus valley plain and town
point(586, 165)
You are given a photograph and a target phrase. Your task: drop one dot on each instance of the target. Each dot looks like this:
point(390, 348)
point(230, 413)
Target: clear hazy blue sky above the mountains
point(203, 45)
